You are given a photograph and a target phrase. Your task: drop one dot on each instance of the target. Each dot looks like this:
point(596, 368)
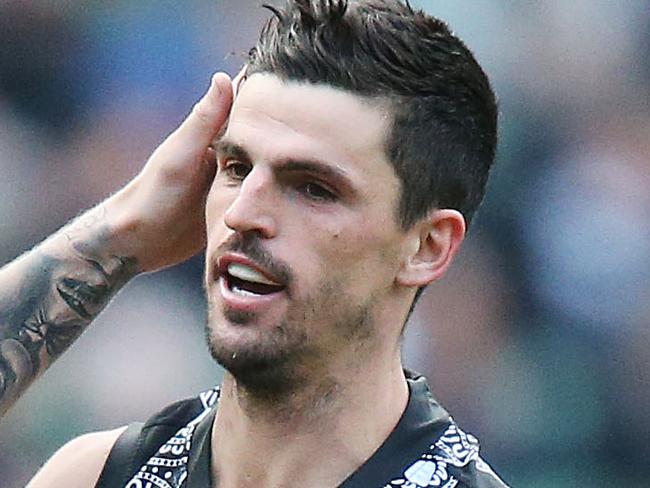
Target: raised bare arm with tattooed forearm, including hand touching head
point(50, 295)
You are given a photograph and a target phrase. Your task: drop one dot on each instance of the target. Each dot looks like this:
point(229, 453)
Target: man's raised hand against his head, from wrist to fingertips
point(160, 213)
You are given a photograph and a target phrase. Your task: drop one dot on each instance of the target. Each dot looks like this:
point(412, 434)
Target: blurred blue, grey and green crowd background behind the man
point(538, 341)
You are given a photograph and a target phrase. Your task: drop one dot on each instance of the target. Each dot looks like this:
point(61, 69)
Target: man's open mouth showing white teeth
point(243, 278)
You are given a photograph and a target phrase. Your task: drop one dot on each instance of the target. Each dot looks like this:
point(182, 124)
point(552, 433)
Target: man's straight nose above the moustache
point(253, 208)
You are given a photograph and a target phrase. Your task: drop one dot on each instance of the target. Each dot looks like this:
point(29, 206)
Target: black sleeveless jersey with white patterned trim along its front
point(426, 449)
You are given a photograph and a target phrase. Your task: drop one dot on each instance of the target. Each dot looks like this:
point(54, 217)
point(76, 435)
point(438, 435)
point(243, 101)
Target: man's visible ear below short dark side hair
point(431, 247)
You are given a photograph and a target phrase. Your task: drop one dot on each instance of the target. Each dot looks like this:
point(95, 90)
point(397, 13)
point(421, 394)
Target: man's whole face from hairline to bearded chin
point(303, 245)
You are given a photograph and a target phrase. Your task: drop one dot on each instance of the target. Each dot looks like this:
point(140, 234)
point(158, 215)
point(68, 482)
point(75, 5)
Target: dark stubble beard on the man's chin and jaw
point(284, 359)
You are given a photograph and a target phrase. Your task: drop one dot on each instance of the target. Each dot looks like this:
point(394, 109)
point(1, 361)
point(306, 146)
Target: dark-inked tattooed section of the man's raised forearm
point(57, 293)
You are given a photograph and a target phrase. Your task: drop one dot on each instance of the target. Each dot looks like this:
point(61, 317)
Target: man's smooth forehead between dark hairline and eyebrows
point(272, 118)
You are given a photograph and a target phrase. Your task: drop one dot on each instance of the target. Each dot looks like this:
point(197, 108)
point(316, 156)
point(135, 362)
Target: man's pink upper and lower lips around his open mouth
point(238, 302)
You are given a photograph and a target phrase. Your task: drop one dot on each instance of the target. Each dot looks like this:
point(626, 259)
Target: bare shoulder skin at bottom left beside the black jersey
point(78, 463)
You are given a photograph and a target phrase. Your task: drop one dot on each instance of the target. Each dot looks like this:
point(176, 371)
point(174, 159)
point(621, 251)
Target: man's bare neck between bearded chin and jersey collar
point(342, 418)
